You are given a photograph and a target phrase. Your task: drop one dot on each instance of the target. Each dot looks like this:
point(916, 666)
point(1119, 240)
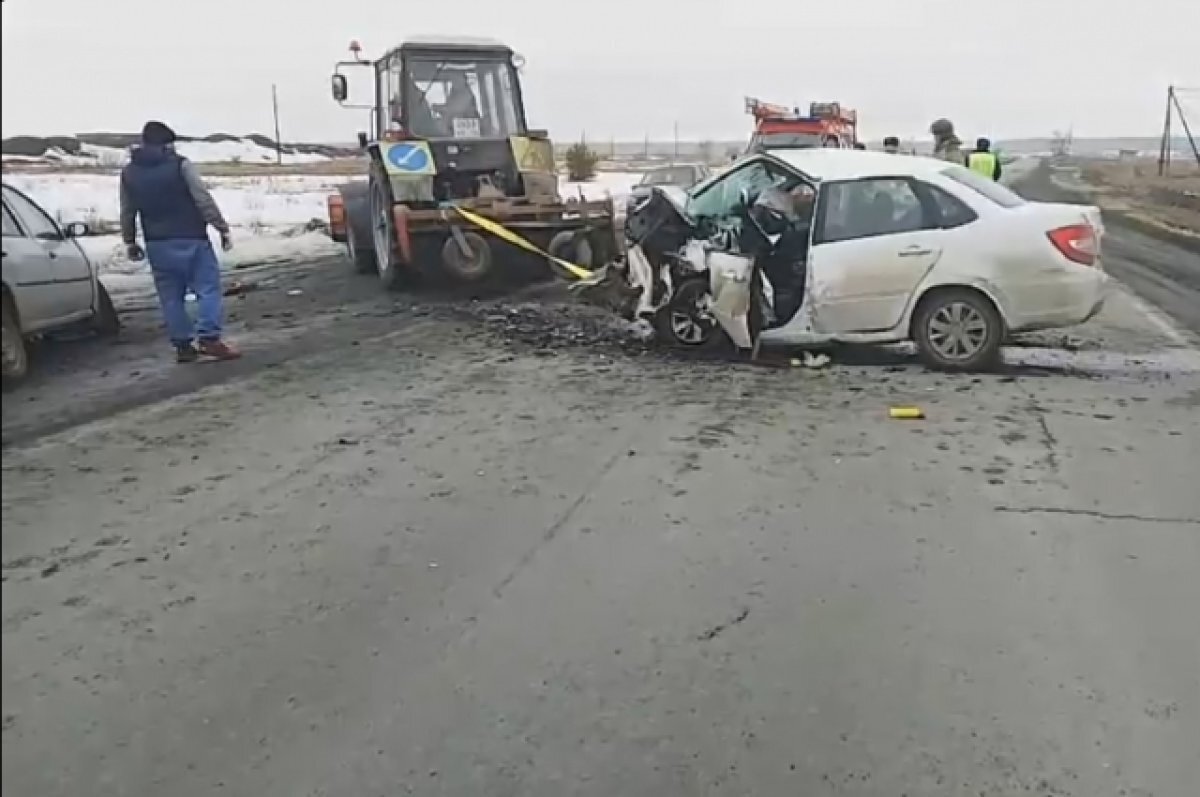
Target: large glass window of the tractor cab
point(461, 99)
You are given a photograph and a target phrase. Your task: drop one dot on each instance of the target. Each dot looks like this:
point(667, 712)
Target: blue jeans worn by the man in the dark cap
point(179, 266)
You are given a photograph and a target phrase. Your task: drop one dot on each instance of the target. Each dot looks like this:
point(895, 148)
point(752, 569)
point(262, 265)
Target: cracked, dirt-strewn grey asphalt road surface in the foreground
point(443, 552)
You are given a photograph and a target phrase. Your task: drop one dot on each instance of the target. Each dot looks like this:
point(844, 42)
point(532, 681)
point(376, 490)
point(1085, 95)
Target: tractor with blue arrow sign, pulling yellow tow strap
point(459, 188)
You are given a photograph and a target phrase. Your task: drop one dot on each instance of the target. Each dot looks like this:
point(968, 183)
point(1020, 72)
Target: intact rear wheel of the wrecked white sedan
point(958, 331)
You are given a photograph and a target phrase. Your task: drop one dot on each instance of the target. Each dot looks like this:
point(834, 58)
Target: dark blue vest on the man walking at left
point(155, 184)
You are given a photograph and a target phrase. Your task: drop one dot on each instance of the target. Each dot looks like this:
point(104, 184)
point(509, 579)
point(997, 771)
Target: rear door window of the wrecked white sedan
point(869, 208)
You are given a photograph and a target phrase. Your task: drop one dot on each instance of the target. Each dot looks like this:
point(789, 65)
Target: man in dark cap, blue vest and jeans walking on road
point(167, 193)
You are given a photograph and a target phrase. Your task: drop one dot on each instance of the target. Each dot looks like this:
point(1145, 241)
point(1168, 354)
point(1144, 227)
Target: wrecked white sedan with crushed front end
point(885, 249)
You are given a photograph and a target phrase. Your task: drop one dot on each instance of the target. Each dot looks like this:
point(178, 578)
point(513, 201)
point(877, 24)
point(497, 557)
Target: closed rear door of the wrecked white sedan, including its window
point(874, 243)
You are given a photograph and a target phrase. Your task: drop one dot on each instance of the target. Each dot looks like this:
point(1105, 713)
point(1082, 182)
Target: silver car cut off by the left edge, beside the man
point(49, 281)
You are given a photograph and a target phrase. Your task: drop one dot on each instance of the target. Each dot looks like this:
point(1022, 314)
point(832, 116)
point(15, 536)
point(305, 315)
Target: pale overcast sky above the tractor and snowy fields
point(622, 69)
